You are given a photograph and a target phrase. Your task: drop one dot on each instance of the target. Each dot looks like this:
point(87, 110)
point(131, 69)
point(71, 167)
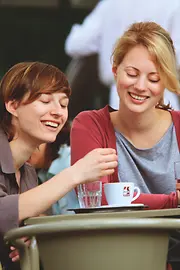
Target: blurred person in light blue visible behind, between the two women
point(51, 158)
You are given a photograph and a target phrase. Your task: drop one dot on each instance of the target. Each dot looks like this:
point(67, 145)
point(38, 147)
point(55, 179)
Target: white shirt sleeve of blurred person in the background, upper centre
point(84, 39)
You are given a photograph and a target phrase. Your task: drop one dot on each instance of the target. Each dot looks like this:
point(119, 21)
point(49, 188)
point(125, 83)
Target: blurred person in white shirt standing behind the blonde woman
point(109, 19)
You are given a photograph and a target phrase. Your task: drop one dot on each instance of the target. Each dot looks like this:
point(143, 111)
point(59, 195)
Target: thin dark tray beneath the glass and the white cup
point(110, 208)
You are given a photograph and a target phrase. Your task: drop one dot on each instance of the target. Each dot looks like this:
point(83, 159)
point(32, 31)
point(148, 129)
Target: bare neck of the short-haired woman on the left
point(21, 151)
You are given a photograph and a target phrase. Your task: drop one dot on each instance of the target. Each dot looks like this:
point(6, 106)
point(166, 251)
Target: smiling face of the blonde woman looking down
point(138, 81)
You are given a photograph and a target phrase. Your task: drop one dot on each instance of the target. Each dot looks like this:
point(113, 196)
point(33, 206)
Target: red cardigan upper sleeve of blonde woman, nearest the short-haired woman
point(85, 136)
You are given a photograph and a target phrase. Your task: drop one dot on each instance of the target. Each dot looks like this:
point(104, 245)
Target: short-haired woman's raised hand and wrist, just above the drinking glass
point(96, 164)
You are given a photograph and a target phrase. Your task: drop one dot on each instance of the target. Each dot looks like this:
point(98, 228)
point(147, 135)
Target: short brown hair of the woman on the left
point(29, 79)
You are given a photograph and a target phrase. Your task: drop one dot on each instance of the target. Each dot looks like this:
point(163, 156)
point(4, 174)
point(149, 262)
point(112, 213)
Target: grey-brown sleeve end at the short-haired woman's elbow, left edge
point(9, 215)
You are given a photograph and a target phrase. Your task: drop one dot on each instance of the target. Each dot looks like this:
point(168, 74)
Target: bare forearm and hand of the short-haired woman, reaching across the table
point(93, 166)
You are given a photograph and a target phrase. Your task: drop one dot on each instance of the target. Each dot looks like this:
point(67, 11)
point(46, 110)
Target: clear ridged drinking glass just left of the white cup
point(90, 194)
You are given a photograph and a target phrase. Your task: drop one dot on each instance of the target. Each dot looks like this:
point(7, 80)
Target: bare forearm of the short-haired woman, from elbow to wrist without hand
point(39, 199)
